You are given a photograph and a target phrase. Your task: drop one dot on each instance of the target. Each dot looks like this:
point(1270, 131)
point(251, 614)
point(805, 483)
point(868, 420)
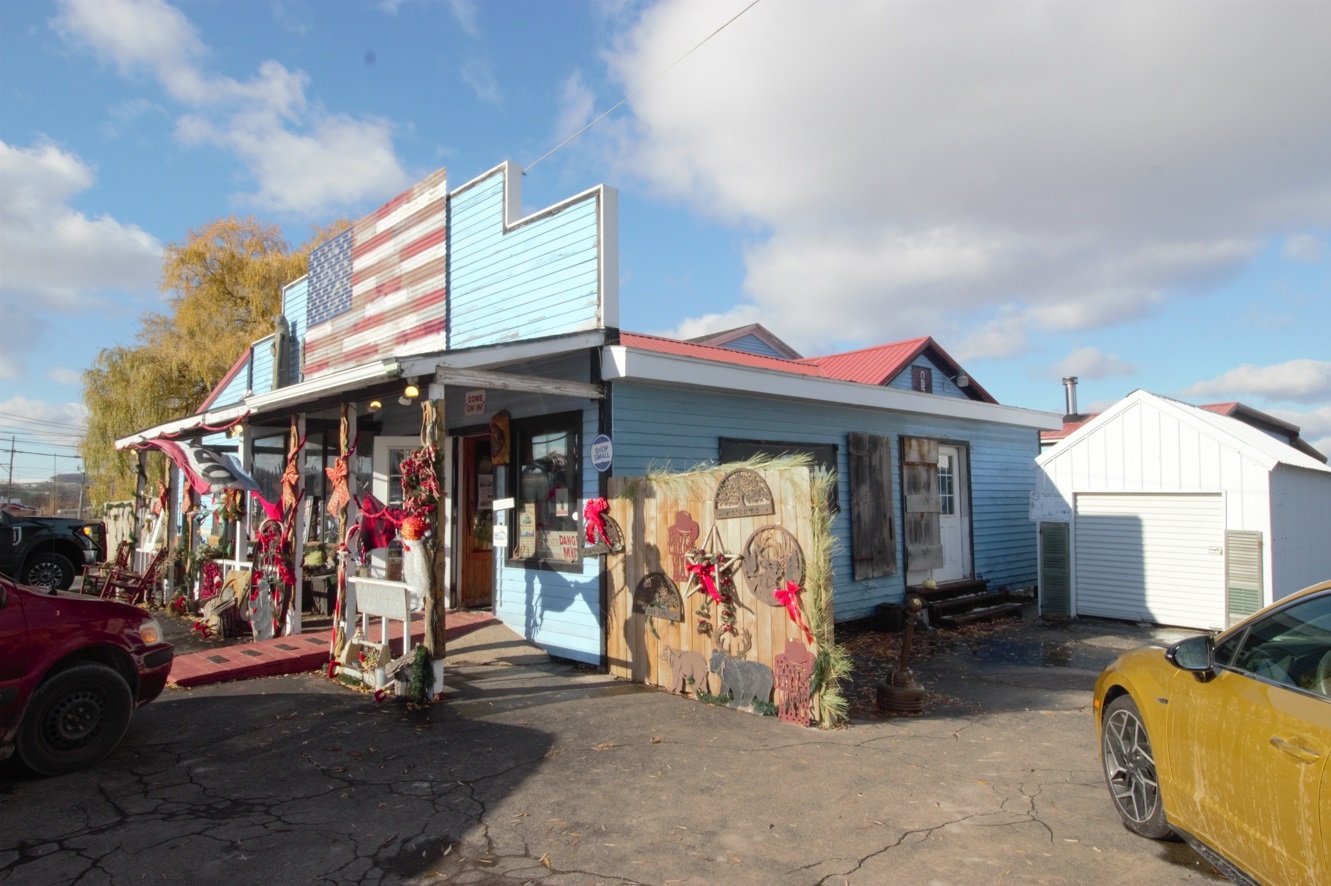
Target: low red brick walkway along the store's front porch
point(296, 655)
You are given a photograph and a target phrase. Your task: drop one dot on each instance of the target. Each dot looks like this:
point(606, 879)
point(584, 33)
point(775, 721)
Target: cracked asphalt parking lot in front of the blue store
point(541, 772)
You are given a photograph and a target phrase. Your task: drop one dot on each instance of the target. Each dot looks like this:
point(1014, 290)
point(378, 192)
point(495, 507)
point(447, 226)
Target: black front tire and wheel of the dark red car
point(75, 719)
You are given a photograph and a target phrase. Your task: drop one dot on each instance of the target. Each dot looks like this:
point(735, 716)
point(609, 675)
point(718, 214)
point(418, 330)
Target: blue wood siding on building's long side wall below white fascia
point(679, 429)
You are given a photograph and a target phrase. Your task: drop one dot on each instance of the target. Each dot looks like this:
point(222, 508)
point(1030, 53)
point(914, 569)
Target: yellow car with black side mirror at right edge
point(1224, 742)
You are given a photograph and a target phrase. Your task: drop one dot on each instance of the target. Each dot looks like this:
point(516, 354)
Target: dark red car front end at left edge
point(73, 671)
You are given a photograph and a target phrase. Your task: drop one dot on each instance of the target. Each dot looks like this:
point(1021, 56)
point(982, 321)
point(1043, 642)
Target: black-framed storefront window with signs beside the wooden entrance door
point(545, 527)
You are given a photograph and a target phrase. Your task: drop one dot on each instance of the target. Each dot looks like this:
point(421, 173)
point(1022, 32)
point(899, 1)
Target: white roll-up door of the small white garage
point(1151, 558)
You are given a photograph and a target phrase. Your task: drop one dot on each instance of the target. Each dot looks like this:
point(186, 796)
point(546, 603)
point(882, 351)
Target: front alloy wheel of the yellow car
point(1131, 770)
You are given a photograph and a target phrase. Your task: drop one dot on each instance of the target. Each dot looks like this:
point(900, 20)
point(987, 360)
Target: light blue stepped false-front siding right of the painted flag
point(541, 279)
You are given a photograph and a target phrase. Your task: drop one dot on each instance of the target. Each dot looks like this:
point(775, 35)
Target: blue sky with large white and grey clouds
point(1137, 195)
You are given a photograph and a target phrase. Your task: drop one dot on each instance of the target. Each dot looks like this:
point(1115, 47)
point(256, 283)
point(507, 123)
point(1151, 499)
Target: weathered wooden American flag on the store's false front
point(380, 288)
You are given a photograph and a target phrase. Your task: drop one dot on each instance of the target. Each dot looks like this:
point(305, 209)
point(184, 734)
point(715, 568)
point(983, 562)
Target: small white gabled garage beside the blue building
point(1165, 513)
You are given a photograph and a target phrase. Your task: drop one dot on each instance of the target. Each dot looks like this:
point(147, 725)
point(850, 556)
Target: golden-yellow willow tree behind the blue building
point(224, 287)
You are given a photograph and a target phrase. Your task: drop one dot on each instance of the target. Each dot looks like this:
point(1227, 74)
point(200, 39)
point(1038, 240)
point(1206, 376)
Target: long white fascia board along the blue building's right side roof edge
point(652, 368)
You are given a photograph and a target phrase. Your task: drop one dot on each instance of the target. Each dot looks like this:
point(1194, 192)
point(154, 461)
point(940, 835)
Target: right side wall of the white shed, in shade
point(1301, 531)
